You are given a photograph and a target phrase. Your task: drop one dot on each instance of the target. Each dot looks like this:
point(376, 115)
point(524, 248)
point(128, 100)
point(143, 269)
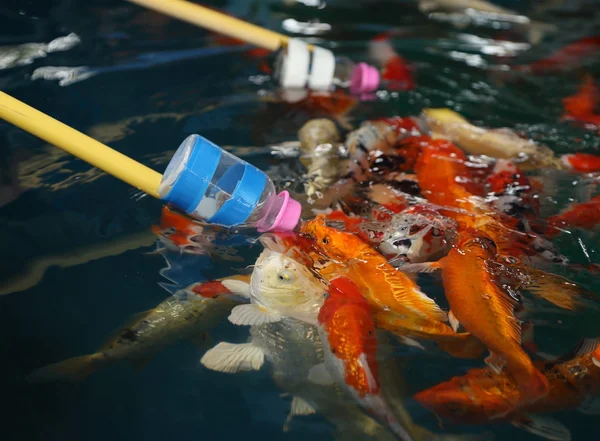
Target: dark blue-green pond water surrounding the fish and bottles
point(149, 82)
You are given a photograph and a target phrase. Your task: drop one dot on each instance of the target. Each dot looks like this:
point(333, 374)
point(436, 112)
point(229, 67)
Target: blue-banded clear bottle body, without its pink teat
point(192, 169)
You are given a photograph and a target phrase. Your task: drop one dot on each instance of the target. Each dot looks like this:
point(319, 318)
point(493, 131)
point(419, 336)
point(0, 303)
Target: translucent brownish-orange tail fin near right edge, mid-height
point(556, 289)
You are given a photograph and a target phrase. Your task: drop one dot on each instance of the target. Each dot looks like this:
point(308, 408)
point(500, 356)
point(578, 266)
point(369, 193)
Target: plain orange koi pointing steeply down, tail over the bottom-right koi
point(486, 312)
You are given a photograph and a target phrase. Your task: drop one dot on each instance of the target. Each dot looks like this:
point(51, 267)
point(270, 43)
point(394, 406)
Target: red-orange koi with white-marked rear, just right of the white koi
point(348, 335)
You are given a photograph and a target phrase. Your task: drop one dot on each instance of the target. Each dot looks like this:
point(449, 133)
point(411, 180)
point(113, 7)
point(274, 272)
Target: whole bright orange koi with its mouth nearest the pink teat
point(397, 302)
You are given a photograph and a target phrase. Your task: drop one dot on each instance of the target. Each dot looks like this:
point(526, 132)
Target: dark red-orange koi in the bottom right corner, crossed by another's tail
point(480, 395)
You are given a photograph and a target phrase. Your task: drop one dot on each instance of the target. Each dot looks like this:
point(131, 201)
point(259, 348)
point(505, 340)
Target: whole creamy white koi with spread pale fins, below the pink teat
point(284, 331)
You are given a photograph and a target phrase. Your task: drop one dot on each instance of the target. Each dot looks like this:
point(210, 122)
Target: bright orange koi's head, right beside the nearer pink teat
point(334, 244)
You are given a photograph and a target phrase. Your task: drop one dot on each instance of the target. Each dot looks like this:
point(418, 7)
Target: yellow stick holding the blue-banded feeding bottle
point(80, 145)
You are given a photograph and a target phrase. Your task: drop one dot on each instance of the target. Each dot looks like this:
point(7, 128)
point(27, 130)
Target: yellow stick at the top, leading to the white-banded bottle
point(217, 22)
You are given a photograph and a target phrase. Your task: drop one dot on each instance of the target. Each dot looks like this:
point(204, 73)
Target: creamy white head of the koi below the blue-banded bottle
point(286, 286)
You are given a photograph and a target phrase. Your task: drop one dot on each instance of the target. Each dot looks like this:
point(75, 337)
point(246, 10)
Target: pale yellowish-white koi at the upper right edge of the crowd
point(496, 143)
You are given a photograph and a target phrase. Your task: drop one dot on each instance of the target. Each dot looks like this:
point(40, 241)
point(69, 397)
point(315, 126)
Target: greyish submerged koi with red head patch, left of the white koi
point(188, 314)
